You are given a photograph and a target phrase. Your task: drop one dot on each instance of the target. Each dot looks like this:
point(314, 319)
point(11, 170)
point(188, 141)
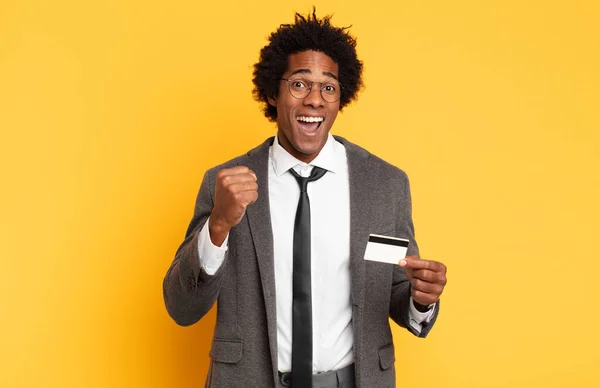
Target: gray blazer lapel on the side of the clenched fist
point(259, 219)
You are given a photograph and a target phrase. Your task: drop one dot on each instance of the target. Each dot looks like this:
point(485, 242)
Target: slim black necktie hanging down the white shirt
point(302, 300)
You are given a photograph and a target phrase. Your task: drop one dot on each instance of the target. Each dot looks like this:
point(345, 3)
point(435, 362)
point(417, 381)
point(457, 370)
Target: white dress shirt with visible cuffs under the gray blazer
point(330, 255)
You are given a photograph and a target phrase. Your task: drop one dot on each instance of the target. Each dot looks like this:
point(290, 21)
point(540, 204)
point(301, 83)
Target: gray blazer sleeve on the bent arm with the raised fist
point(189, 292)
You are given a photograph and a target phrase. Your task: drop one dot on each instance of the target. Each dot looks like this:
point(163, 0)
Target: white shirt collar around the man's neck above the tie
point(283, 160)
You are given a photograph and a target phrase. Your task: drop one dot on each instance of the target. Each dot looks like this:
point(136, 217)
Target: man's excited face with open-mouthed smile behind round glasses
point(300, 129)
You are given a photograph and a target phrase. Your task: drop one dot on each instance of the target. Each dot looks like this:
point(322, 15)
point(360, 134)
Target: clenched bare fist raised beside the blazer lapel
point(235, 189)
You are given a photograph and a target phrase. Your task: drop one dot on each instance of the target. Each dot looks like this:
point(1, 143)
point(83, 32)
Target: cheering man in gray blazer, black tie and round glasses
point(283, 253)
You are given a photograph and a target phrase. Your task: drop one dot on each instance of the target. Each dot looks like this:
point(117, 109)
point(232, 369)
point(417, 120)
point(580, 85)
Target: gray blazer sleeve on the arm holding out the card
point(400, 296)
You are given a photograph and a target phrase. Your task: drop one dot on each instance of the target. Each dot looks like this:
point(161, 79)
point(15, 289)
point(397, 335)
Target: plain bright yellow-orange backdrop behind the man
point(111, 111)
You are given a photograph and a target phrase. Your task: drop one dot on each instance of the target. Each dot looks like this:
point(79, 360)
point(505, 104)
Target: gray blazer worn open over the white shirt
point(244, 347)
